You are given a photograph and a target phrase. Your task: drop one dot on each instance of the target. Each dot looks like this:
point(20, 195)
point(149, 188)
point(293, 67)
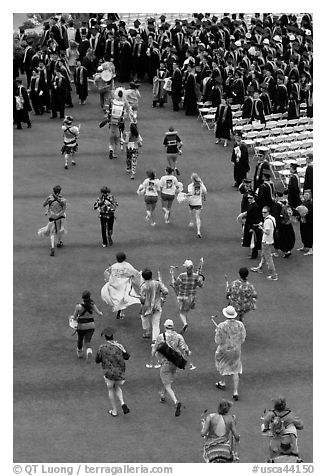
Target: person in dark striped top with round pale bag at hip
point(85, 324)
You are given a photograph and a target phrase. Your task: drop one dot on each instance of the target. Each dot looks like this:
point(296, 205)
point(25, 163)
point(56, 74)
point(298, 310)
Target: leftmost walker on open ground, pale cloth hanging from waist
point(56, 211)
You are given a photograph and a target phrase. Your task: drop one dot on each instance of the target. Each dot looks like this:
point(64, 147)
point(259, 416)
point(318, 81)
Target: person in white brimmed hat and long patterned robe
point(229, 336)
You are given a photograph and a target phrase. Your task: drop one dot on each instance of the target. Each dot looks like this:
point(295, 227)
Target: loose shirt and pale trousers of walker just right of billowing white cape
point(152, 295)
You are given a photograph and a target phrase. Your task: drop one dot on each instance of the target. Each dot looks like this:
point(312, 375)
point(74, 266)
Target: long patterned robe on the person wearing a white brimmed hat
point(229, 336)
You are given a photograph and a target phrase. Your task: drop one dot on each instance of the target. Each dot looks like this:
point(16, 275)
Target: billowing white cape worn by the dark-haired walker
point(120, 277)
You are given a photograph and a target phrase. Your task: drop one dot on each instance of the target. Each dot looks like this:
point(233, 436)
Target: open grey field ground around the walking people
point(60, 402)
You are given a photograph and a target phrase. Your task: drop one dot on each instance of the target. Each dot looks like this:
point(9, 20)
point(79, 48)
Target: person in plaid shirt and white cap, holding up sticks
point(185, 287)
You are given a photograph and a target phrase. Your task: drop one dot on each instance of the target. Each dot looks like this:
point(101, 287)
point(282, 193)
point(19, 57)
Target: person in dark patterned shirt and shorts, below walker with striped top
point(112, 357)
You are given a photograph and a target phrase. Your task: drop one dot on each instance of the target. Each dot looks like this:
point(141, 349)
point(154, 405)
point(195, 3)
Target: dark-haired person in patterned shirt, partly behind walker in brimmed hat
point(241, 294)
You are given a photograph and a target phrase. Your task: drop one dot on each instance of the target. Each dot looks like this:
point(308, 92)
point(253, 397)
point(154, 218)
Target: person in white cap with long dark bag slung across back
point(168, 369)
